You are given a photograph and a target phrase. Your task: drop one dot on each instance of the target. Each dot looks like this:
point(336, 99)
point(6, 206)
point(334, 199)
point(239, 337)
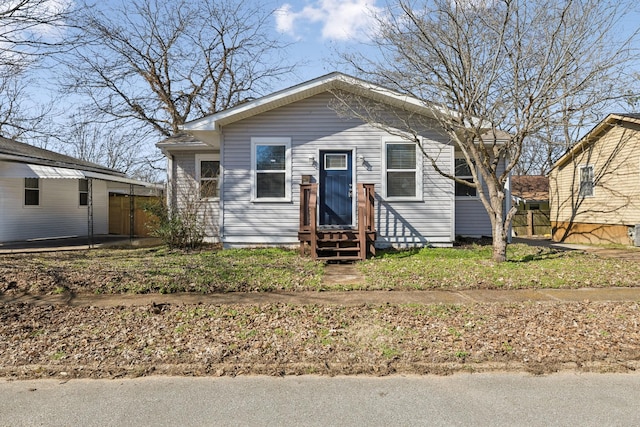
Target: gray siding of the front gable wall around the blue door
point(313, 126)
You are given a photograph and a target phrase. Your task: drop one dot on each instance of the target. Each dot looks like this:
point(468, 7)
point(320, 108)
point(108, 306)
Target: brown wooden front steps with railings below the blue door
point(337, 244)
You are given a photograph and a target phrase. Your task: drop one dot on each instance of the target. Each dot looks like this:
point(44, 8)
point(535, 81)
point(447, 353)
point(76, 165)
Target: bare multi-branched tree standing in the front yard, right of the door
point(498, 65)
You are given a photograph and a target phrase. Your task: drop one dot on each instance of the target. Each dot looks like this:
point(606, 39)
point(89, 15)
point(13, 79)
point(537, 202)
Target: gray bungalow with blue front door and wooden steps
point(288, 168)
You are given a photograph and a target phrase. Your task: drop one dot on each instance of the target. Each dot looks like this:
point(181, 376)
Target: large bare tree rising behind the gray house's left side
point(159, 63)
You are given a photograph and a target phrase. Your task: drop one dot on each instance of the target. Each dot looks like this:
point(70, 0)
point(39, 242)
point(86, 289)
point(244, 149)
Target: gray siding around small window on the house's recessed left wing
point(186, 197)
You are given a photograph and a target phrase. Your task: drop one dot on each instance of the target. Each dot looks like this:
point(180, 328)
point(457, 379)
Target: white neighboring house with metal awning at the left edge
point(44, 194)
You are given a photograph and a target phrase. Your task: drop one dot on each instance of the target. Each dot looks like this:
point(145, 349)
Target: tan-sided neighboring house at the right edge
point(595, 186)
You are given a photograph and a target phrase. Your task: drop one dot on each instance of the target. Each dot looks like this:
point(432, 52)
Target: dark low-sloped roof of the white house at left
point(25, 153)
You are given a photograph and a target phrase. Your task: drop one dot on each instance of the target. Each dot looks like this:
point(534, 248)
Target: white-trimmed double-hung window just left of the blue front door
point(271, 169)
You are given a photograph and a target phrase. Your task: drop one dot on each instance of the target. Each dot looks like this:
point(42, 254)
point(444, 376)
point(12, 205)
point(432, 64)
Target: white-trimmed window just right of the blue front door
point(401, 174)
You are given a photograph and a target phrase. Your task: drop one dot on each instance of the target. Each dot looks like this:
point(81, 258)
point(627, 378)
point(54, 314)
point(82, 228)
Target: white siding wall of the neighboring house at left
point(58, 215)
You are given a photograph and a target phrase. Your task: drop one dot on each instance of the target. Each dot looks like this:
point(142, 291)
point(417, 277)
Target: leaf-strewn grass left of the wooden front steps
point(107, 271)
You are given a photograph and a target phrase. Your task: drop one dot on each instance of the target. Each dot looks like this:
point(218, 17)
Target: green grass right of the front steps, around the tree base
point(472, 267)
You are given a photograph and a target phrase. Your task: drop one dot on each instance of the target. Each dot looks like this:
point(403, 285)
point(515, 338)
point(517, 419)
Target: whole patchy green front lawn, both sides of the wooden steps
point(159, 270)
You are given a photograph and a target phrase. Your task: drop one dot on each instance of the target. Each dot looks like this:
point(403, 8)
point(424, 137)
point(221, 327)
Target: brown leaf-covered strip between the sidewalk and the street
point(196, 338)
